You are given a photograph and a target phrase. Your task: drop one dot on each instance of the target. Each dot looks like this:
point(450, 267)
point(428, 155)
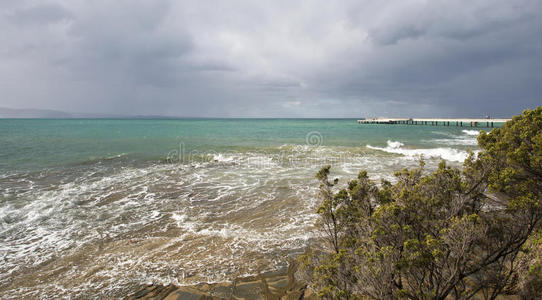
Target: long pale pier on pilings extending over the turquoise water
point(436, 122)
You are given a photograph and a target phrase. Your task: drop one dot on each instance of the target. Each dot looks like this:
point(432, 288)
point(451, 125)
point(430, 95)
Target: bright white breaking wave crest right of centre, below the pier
point(450, 154)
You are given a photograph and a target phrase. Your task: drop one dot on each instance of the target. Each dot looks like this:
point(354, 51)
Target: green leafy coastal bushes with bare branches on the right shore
point(451, 233)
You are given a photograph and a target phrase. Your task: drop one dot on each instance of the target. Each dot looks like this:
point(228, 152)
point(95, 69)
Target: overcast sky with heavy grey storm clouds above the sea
point(272, 58)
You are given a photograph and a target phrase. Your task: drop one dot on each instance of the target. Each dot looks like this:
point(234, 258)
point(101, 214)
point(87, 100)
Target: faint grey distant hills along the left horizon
point(13, 113)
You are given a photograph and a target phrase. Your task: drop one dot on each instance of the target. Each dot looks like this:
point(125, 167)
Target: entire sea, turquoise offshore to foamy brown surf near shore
point(95, 208)
